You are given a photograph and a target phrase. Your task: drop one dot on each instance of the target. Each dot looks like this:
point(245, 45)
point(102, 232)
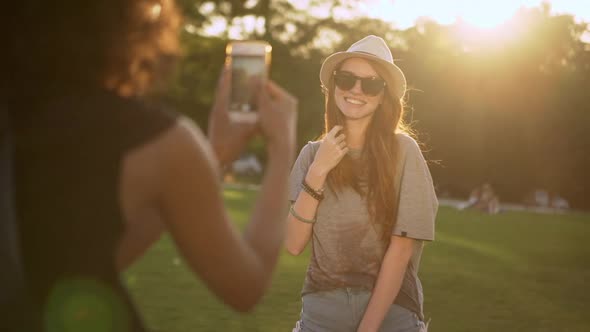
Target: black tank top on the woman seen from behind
point(68, 166)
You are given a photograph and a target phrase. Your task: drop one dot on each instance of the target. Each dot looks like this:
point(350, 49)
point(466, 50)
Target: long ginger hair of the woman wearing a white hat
point(378, 160)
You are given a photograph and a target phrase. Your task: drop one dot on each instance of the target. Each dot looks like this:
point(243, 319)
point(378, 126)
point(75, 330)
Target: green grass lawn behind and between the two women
point(508, 272)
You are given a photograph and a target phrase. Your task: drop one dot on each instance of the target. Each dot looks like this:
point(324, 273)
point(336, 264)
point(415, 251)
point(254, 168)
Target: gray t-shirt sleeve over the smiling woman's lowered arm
point(417, 200)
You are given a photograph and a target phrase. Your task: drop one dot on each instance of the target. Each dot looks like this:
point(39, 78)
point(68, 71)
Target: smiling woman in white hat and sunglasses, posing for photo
point(368, 226)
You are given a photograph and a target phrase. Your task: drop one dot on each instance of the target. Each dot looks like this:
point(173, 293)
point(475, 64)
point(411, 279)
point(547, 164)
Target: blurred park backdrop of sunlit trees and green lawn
point(498, 94)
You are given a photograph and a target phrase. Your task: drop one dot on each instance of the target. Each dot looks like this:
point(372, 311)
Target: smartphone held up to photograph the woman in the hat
point(248, 61)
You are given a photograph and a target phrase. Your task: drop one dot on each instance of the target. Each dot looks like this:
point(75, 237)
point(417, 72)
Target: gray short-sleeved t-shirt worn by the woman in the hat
point(346, 246)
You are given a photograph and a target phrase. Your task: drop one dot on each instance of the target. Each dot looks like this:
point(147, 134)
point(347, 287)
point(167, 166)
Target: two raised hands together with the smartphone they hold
point(241, 110)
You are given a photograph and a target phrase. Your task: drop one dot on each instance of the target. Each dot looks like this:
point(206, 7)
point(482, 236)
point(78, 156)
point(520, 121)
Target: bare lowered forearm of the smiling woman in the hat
point(389, 281)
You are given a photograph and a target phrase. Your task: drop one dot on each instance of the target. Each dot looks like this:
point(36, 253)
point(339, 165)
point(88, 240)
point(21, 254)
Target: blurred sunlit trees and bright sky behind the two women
point(499, 90)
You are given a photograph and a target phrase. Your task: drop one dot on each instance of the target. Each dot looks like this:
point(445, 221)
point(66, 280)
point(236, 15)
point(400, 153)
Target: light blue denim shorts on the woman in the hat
point(342, 309)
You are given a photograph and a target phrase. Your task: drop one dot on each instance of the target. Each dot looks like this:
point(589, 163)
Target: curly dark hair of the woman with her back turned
point(52, 47)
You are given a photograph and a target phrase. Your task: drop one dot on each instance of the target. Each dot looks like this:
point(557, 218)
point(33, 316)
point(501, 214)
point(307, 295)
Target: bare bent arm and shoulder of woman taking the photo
point(182, 192)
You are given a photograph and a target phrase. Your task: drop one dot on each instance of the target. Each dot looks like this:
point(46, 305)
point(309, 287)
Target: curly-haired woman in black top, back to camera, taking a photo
point(100, 174)
